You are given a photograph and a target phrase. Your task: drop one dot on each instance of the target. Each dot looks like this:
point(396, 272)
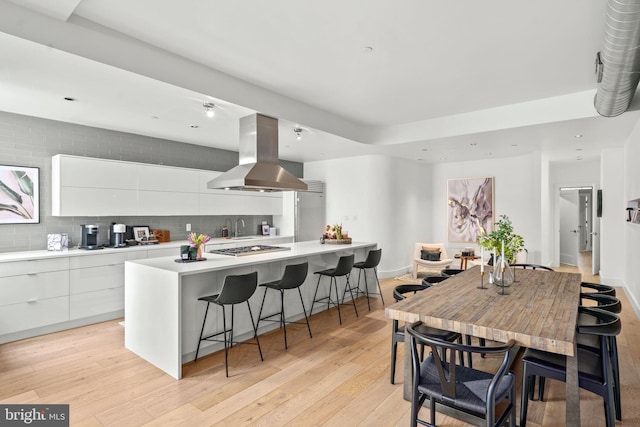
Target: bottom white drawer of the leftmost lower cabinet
point(28, 315)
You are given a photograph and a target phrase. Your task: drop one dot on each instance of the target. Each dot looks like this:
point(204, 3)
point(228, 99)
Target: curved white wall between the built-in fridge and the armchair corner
point(379, 199)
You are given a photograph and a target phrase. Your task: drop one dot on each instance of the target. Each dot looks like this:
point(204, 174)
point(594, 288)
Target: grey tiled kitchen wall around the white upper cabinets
point(31, 141)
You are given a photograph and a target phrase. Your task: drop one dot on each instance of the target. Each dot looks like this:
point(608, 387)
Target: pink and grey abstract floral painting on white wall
point(469, 208)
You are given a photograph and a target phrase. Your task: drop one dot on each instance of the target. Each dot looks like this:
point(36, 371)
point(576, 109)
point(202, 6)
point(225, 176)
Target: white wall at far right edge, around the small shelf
point(632, 231)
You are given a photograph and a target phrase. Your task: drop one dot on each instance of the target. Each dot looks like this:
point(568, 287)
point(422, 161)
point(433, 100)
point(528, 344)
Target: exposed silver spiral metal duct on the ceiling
point(620, 58)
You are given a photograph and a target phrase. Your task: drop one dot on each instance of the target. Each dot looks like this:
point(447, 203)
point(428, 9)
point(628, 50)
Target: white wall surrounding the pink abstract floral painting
point(516, 194)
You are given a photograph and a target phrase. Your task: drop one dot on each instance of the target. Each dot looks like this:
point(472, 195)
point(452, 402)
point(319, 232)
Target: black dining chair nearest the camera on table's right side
point(594, 369)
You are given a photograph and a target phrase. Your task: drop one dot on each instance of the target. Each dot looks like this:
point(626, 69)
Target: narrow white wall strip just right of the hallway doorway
point(612, 225)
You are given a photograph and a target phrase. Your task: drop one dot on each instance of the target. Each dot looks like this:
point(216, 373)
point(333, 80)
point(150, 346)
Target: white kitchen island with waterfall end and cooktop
point(163, 316)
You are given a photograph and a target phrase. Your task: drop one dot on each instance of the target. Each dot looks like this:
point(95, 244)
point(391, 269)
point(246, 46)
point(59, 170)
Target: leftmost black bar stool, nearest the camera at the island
point(235, 290)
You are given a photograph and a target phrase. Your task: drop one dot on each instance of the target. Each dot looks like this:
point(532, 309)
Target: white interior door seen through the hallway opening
point(569, 227)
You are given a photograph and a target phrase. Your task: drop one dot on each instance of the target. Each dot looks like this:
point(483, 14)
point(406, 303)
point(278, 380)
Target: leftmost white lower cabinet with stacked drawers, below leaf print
point(33, 294)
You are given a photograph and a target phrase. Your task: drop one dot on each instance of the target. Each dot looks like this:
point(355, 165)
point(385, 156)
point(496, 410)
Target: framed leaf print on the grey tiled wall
point(19, 195)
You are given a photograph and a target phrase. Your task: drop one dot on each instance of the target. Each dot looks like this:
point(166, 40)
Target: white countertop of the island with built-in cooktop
point(215, 262)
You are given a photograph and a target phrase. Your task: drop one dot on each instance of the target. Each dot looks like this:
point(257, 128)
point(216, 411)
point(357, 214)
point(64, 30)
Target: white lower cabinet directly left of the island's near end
point(96, 284)
